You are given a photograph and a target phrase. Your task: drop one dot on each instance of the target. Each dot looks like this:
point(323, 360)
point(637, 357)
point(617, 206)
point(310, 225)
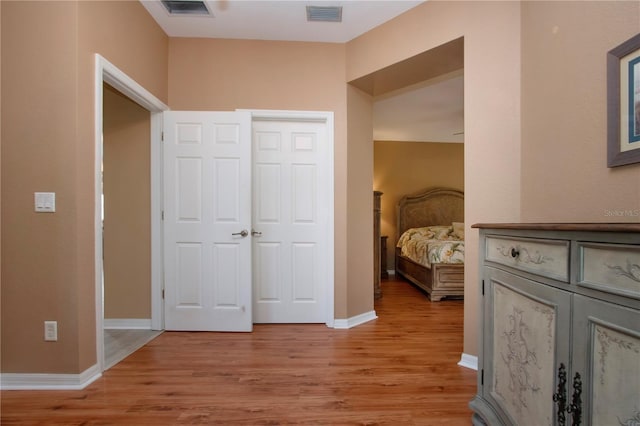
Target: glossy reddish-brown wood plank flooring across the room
point(400, 369)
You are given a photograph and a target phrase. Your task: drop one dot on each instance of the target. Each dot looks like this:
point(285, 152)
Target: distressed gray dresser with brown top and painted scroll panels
point(559, 340)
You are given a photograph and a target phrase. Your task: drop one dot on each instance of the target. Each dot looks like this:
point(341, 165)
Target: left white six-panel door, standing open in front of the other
point(207, 199)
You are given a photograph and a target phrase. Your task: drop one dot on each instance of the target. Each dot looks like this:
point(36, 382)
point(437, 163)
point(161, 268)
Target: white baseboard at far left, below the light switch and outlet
point(18, 381)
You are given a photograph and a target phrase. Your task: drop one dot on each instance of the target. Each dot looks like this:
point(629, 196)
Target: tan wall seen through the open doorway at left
point(126, 188)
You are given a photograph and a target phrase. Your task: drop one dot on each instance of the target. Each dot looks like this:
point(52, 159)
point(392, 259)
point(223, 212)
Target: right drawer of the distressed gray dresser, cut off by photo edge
point(614, 268)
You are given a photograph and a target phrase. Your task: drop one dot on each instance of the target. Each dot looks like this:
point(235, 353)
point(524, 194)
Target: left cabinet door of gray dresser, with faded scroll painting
point(527, 327)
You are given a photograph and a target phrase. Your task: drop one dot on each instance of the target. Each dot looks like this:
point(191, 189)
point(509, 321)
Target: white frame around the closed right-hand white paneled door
point(325, 117)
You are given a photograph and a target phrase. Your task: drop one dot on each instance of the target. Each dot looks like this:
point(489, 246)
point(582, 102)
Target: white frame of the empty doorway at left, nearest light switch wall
point(106, 72)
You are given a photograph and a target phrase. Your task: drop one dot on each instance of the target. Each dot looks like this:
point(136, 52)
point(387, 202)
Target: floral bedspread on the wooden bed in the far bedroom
point(433, 244)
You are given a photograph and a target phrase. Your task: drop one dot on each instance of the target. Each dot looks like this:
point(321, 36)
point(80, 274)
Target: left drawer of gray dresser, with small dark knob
point(547, 258)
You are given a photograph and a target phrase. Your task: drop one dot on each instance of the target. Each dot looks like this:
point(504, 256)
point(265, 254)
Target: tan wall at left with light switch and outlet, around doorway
point(48, 267)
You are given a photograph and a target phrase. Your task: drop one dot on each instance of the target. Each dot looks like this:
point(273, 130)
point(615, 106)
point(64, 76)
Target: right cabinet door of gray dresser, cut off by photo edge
point(606, 354)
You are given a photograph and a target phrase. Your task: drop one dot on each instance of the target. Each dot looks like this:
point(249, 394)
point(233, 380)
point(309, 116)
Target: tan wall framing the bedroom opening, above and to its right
point(491, 32)
